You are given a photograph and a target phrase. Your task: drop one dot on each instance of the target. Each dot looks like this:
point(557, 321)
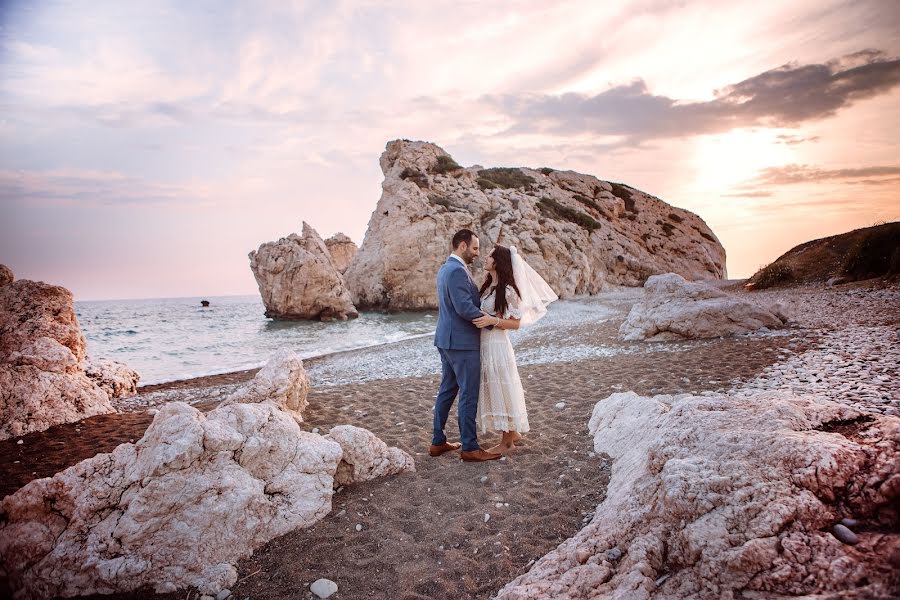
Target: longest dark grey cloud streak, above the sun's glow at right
point(787, 96)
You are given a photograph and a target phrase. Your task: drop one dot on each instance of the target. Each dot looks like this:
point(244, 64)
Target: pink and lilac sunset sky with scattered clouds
point(147, 147)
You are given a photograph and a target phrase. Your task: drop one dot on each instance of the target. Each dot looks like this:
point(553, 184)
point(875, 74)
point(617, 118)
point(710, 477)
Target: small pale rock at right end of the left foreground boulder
point(365, 456)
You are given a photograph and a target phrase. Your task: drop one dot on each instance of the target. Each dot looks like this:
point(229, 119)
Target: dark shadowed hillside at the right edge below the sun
point(853, 256)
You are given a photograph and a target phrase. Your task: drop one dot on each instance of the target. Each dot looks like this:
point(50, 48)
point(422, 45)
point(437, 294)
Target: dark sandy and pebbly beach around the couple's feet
point(461, 530)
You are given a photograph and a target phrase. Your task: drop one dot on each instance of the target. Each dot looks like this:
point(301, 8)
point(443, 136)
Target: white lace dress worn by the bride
point(501, 399)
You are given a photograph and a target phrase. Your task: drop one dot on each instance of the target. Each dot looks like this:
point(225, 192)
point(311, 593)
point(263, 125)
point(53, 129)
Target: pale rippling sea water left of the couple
point(170, 339)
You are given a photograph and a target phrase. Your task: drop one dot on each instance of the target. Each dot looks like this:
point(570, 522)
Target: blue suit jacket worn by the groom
point(458, 304)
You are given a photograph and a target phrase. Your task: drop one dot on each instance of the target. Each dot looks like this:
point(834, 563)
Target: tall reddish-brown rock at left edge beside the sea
point(42, 353)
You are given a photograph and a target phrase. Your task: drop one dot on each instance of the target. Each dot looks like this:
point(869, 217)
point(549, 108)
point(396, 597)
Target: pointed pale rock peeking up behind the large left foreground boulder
point(282, 382)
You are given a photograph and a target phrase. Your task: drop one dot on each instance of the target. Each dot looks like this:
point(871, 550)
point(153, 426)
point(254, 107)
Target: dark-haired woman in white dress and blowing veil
point(513, 295)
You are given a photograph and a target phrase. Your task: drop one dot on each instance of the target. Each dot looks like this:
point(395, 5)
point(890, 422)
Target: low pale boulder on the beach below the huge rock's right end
point(675, 309)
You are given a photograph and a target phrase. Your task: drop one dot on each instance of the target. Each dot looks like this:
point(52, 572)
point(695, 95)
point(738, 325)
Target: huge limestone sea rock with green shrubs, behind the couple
point(580, 233)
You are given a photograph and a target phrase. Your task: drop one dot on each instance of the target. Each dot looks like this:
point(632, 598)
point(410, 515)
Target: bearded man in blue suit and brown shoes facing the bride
point(459, 343)
